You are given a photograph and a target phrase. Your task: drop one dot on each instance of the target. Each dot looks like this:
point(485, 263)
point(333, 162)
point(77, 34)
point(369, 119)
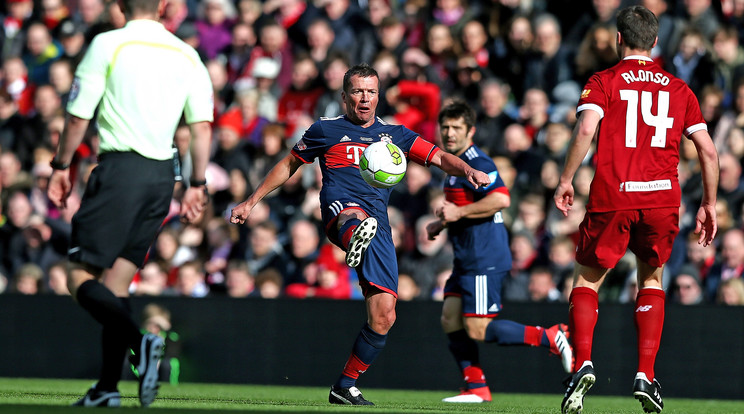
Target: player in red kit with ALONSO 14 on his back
point(635, 196)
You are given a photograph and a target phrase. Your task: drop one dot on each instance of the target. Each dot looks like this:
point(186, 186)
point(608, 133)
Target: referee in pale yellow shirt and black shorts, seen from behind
point(142, 79)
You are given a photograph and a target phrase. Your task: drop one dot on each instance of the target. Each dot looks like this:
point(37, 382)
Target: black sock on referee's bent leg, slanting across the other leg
point(109, 311)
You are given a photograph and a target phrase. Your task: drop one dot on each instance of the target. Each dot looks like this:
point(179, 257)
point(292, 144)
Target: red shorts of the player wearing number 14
point(648, 233)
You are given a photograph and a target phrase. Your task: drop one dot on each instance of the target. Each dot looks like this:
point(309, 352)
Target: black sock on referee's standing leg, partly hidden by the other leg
point(114, 353)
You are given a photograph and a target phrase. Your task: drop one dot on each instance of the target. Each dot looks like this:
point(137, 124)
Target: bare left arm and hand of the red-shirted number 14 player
point(583, 134)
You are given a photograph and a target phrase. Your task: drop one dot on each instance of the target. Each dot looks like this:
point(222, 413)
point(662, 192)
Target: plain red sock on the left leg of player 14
point(583, 309)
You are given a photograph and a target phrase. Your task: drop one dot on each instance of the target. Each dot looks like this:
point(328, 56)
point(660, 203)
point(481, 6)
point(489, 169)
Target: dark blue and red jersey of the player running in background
point(479, 245)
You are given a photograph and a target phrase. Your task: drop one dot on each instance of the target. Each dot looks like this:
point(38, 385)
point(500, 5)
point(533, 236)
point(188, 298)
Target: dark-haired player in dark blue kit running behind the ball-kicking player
point(472, 294)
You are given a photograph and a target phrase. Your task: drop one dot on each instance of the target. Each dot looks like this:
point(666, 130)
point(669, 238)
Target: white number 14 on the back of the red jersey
point(661, 121)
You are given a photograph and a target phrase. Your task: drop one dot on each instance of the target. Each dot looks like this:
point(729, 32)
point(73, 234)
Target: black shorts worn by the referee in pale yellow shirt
point(125, 202)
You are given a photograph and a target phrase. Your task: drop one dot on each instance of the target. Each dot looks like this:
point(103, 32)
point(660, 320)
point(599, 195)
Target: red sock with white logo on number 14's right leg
point(649, 320)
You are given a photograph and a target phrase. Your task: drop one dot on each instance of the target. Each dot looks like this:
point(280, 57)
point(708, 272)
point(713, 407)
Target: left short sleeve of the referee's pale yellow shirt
point(90, 81)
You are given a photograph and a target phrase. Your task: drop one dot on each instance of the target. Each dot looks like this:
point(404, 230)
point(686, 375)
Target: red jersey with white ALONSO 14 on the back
point(645, 111)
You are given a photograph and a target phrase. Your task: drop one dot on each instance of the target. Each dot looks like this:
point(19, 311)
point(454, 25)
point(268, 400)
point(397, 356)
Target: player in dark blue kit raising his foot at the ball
point(355, 213)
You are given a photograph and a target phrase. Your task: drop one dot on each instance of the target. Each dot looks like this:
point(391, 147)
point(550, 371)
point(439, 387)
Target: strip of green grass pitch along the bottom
point(26, 396)
